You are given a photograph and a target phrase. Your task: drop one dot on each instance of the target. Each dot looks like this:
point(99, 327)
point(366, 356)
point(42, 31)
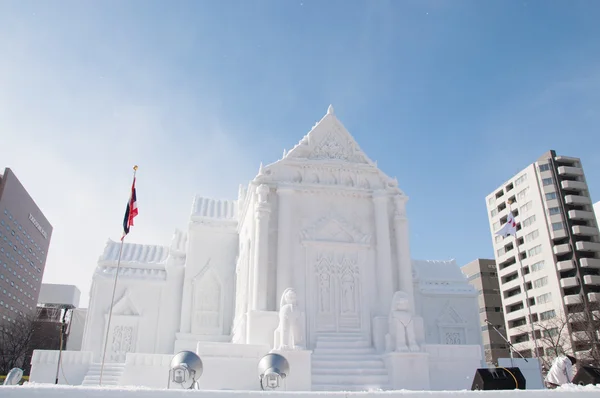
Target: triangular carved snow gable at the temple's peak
point(329, 140)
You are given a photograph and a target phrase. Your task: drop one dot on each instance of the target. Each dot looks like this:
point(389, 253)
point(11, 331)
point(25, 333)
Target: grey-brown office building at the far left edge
point(24, 239)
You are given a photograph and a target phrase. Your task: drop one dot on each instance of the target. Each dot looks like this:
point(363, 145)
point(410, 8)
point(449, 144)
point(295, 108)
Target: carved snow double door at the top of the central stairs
point(337, 295)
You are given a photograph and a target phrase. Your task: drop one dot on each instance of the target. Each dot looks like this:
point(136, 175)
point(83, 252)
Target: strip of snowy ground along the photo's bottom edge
point(52, 391)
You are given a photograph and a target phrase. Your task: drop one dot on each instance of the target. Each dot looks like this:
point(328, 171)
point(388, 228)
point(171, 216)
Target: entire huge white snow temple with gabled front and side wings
point(308, 261)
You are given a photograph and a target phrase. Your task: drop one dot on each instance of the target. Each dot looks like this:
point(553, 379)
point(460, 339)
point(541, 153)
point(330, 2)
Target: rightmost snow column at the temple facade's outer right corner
point(403, 248)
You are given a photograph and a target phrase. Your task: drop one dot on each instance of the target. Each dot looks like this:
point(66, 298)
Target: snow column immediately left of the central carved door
point(284, 265)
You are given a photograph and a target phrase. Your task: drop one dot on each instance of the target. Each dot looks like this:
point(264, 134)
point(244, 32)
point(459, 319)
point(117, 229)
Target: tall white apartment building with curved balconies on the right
point(556, 279)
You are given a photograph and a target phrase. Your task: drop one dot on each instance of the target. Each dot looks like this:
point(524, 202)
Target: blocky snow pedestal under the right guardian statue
point(408, 370)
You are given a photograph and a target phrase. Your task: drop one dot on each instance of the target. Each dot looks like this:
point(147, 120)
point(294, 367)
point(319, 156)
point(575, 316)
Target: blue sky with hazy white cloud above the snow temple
point(451, 97)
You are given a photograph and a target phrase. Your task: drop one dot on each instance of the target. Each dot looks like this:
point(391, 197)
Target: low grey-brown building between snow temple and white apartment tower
point(483, 276)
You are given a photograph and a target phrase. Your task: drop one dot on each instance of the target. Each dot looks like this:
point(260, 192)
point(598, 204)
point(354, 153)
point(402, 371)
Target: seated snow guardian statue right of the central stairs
point(401, 335)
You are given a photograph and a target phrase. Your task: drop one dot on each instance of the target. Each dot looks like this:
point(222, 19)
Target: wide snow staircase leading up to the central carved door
point(347, 362)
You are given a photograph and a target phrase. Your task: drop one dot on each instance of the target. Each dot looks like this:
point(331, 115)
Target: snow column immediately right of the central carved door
point(385, 282)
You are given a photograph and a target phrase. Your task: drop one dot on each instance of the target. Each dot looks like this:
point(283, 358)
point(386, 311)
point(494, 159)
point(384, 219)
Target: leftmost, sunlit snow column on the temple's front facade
point(261, 252)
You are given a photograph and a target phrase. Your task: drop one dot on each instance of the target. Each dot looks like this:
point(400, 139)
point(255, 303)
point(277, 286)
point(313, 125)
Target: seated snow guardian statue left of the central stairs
point(289, 334)
